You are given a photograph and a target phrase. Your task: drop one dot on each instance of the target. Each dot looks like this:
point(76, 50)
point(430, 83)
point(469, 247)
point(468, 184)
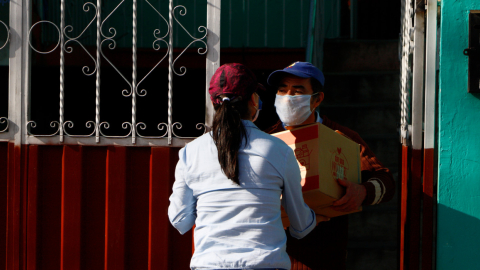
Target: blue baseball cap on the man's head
point(299, 69)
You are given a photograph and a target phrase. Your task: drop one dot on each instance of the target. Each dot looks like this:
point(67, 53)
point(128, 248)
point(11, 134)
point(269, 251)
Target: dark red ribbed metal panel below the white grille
point(88, 207)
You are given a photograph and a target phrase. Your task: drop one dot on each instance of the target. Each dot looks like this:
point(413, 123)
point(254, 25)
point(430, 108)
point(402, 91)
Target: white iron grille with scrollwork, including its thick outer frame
point(20, 79)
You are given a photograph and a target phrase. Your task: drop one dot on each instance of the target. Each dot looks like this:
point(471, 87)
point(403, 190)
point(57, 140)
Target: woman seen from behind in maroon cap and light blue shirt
point(229, 181)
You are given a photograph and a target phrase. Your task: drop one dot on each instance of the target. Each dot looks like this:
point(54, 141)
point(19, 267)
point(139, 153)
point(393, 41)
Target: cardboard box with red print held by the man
point(323, 156)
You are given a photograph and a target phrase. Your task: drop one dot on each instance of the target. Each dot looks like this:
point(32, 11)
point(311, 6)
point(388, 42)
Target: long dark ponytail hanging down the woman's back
point(229, 133)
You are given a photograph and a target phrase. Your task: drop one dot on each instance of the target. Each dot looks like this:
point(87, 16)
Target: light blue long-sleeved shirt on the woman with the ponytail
point(239, 226)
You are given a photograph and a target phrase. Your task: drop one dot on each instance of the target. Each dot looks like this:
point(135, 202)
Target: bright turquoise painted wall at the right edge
point(458, 234)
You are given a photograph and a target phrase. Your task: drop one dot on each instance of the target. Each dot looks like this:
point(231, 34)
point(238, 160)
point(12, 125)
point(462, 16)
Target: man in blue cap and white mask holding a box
point(299, 92)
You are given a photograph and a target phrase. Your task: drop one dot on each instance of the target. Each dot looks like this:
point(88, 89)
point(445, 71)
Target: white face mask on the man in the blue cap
point(293, 110)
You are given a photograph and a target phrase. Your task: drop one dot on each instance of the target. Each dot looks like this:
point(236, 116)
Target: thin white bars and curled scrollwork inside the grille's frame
point(109, 39)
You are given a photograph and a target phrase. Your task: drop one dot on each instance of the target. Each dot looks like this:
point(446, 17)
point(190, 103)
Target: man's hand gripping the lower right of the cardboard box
point(352, 199)
